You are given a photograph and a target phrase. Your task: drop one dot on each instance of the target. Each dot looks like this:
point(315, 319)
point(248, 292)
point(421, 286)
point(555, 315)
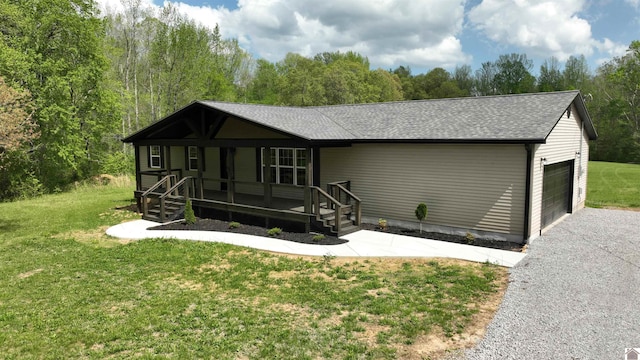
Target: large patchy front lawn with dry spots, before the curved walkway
point(69, 291)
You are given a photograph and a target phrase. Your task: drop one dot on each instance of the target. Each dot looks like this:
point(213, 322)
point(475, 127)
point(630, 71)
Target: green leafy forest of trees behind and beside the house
point(75, 81)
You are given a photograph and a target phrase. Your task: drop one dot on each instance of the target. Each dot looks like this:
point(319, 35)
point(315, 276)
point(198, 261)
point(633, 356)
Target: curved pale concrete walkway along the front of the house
point(361, 243)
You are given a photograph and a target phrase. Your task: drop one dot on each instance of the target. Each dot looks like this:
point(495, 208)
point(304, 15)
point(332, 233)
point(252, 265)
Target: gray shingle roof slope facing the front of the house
point(523, 117)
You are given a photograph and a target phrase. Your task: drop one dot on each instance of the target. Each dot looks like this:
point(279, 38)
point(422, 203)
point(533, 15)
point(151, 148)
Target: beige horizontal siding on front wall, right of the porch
point(478, 187)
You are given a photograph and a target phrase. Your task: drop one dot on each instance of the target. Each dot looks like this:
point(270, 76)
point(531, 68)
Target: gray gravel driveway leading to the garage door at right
point(575, 296)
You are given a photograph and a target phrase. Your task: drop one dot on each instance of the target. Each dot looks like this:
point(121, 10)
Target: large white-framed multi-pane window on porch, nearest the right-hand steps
point(288, 166)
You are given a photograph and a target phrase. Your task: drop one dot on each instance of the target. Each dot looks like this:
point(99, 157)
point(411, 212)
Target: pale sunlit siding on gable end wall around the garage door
point(563, 144)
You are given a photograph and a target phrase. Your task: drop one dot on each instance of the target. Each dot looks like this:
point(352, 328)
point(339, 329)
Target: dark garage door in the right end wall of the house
point(556, 191)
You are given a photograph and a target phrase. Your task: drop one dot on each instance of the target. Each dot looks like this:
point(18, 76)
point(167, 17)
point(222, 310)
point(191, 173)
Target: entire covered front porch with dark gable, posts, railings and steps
point(230, 166)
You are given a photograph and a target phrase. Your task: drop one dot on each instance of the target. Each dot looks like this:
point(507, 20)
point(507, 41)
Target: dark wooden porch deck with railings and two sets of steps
point(165, 200)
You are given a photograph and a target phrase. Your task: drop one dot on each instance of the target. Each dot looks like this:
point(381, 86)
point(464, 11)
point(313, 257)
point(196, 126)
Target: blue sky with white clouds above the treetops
point(423, 34)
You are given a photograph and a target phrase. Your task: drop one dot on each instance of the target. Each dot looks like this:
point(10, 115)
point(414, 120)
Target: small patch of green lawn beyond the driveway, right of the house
point(613, 185)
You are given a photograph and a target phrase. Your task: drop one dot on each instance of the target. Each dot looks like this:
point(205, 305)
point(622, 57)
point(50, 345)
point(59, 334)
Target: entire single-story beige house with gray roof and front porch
point(504, 167)
